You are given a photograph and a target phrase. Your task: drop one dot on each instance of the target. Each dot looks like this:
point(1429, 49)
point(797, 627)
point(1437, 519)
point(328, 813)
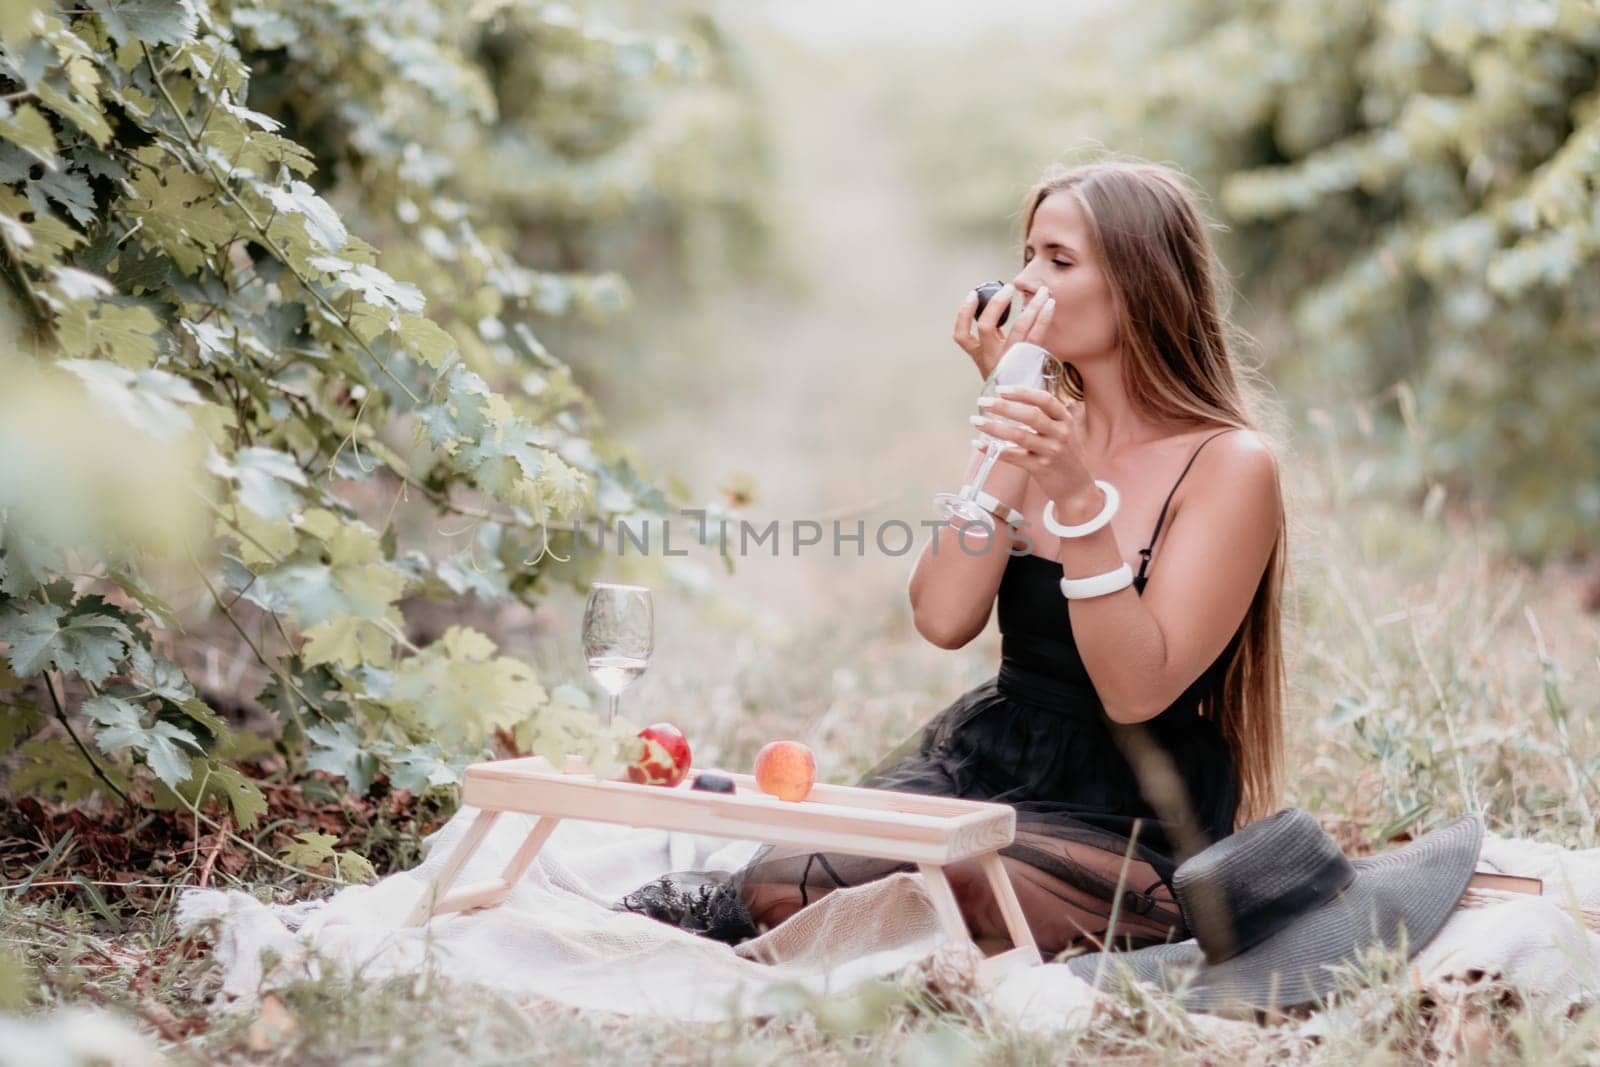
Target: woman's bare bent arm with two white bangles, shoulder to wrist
point(1143, 652)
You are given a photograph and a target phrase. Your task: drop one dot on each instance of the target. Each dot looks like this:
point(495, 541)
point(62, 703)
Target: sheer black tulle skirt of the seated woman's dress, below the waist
point(1090, 844)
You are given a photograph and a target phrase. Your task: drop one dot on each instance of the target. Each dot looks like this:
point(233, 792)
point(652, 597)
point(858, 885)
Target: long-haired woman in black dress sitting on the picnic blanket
point(1127, 730)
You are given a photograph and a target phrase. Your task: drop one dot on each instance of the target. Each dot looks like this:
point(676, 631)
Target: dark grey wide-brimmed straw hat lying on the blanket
point(1278, 906)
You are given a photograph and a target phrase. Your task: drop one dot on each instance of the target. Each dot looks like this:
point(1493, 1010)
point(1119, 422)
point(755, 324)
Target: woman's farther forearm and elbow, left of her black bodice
point(954, 583)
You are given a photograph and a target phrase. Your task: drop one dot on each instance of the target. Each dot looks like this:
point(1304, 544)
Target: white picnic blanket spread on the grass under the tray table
point(558, 938)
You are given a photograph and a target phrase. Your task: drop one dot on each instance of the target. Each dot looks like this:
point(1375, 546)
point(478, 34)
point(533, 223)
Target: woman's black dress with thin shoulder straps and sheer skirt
point(1089, 793)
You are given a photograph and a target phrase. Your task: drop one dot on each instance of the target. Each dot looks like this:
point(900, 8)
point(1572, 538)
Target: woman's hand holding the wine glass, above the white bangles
point(1050, 450)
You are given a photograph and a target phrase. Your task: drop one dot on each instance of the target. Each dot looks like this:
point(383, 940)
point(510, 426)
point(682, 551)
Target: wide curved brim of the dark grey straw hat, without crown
point(1414, 887)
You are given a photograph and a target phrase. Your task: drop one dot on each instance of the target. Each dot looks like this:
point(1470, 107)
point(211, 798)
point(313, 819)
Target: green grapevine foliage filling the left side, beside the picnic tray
point(254, 239)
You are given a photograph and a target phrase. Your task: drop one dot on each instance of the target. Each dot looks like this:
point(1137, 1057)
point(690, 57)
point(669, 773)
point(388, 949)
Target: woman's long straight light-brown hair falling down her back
point(1170, 305)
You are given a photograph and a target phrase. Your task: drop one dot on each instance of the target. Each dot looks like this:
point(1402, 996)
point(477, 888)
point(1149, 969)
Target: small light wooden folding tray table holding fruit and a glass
point(927, 831)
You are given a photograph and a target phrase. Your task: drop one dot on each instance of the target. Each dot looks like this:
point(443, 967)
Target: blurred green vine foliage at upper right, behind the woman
point(1412, 185)
